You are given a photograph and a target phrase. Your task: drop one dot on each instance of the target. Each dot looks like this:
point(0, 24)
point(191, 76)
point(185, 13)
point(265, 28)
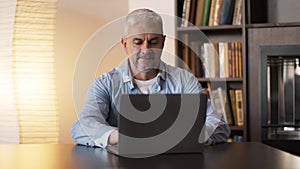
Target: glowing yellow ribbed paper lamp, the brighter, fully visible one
point(34, 73)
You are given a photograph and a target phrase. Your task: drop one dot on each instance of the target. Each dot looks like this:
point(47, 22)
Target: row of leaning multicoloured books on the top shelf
point(211, 12)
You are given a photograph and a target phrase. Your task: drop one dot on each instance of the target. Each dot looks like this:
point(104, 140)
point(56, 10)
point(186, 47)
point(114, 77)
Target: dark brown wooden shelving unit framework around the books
point(264, 23)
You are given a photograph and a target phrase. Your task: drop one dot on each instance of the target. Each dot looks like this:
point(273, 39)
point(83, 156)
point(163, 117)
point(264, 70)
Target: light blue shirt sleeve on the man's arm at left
point(91, 125)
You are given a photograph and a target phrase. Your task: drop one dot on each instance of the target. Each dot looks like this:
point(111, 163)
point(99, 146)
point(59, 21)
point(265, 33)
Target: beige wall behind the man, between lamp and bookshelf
point(79, 25)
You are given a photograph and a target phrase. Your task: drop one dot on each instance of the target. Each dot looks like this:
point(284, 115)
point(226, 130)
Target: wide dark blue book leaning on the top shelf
point(227, 12)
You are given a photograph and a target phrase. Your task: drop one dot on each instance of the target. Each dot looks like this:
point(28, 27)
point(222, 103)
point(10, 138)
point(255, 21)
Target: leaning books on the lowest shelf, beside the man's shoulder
point(228, 103)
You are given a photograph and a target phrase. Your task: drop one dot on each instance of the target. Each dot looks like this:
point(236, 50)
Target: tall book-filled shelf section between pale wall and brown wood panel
point(217, 37)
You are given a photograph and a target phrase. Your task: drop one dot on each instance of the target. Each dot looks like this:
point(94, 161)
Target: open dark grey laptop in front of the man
point(160, 123)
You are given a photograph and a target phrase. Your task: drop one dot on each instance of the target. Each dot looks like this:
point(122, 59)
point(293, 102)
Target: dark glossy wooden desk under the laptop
point(225, 156)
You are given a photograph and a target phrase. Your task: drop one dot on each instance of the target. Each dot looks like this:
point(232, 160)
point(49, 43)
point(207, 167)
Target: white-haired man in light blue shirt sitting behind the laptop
point(143, 73)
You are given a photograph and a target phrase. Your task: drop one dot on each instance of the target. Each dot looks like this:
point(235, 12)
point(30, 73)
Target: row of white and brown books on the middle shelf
point(223, 59)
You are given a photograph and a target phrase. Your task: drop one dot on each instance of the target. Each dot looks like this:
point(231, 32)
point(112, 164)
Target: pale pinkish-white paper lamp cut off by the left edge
point(9, 129)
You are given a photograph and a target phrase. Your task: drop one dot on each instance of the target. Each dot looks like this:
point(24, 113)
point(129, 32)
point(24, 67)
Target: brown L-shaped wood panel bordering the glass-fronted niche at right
point(261, 37)
